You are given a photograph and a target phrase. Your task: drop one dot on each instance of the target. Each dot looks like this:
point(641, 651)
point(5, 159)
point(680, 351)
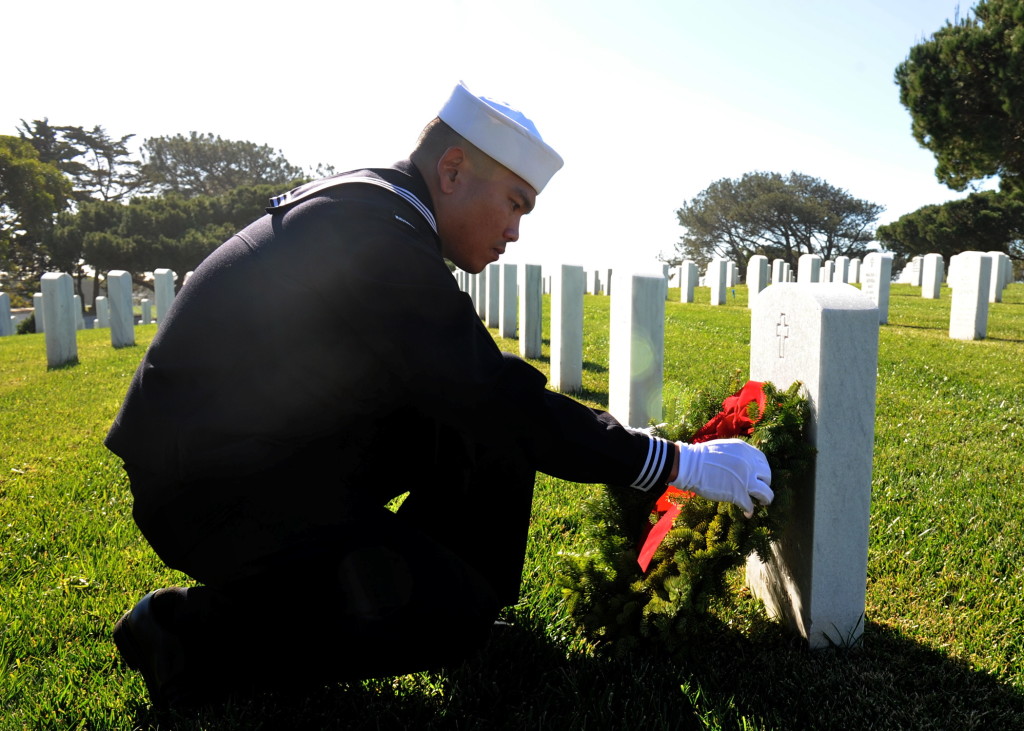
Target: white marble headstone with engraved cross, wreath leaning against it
point(827, 337)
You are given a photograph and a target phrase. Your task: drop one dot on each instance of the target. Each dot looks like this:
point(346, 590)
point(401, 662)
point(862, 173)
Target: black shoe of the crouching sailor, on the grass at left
point(148, 643)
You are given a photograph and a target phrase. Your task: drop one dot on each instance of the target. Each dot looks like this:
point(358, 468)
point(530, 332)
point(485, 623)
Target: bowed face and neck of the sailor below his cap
point(484, 214)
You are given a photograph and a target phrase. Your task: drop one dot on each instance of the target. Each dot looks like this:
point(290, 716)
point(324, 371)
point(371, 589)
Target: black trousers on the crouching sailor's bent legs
point(306, 579)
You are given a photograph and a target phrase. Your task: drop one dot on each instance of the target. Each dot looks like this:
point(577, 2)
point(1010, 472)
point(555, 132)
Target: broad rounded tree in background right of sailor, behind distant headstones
point(780, 217)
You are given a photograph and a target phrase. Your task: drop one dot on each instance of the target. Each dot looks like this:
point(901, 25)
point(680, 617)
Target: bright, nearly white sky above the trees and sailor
point(649, 102)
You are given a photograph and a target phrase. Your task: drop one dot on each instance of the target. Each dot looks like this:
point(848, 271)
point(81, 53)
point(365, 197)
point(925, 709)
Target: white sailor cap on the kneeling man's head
point(502, 133)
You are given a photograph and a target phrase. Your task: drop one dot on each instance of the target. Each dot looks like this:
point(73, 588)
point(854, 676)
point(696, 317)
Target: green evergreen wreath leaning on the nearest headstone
point(622, 608)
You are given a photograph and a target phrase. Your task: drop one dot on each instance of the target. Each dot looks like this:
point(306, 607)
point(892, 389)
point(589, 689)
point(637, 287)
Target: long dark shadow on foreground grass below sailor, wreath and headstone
point(523, 679)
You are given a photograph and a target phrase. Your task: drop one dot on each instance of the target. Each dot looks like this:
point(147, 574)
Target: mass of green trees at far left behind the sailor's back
point(75, 199)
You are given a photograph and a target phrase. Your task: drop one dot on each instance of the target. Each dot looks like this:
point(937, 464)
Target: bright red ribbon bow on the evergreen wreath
point(733, 421)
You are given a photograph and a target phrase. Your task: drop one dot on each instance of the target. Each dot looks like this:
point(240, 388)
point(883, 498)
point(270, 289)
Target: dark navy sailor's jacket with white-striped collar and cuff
point(332, 329)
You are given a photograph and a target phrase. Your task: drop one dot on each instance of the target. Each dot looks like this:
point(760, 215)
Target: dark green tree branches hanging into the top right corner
point(964, 89)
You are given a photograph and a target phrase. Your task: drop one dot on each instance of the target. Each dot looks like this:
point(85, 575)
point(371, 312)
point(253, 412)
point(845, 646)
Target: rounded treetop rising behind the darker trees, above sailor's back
point(207, 165)
